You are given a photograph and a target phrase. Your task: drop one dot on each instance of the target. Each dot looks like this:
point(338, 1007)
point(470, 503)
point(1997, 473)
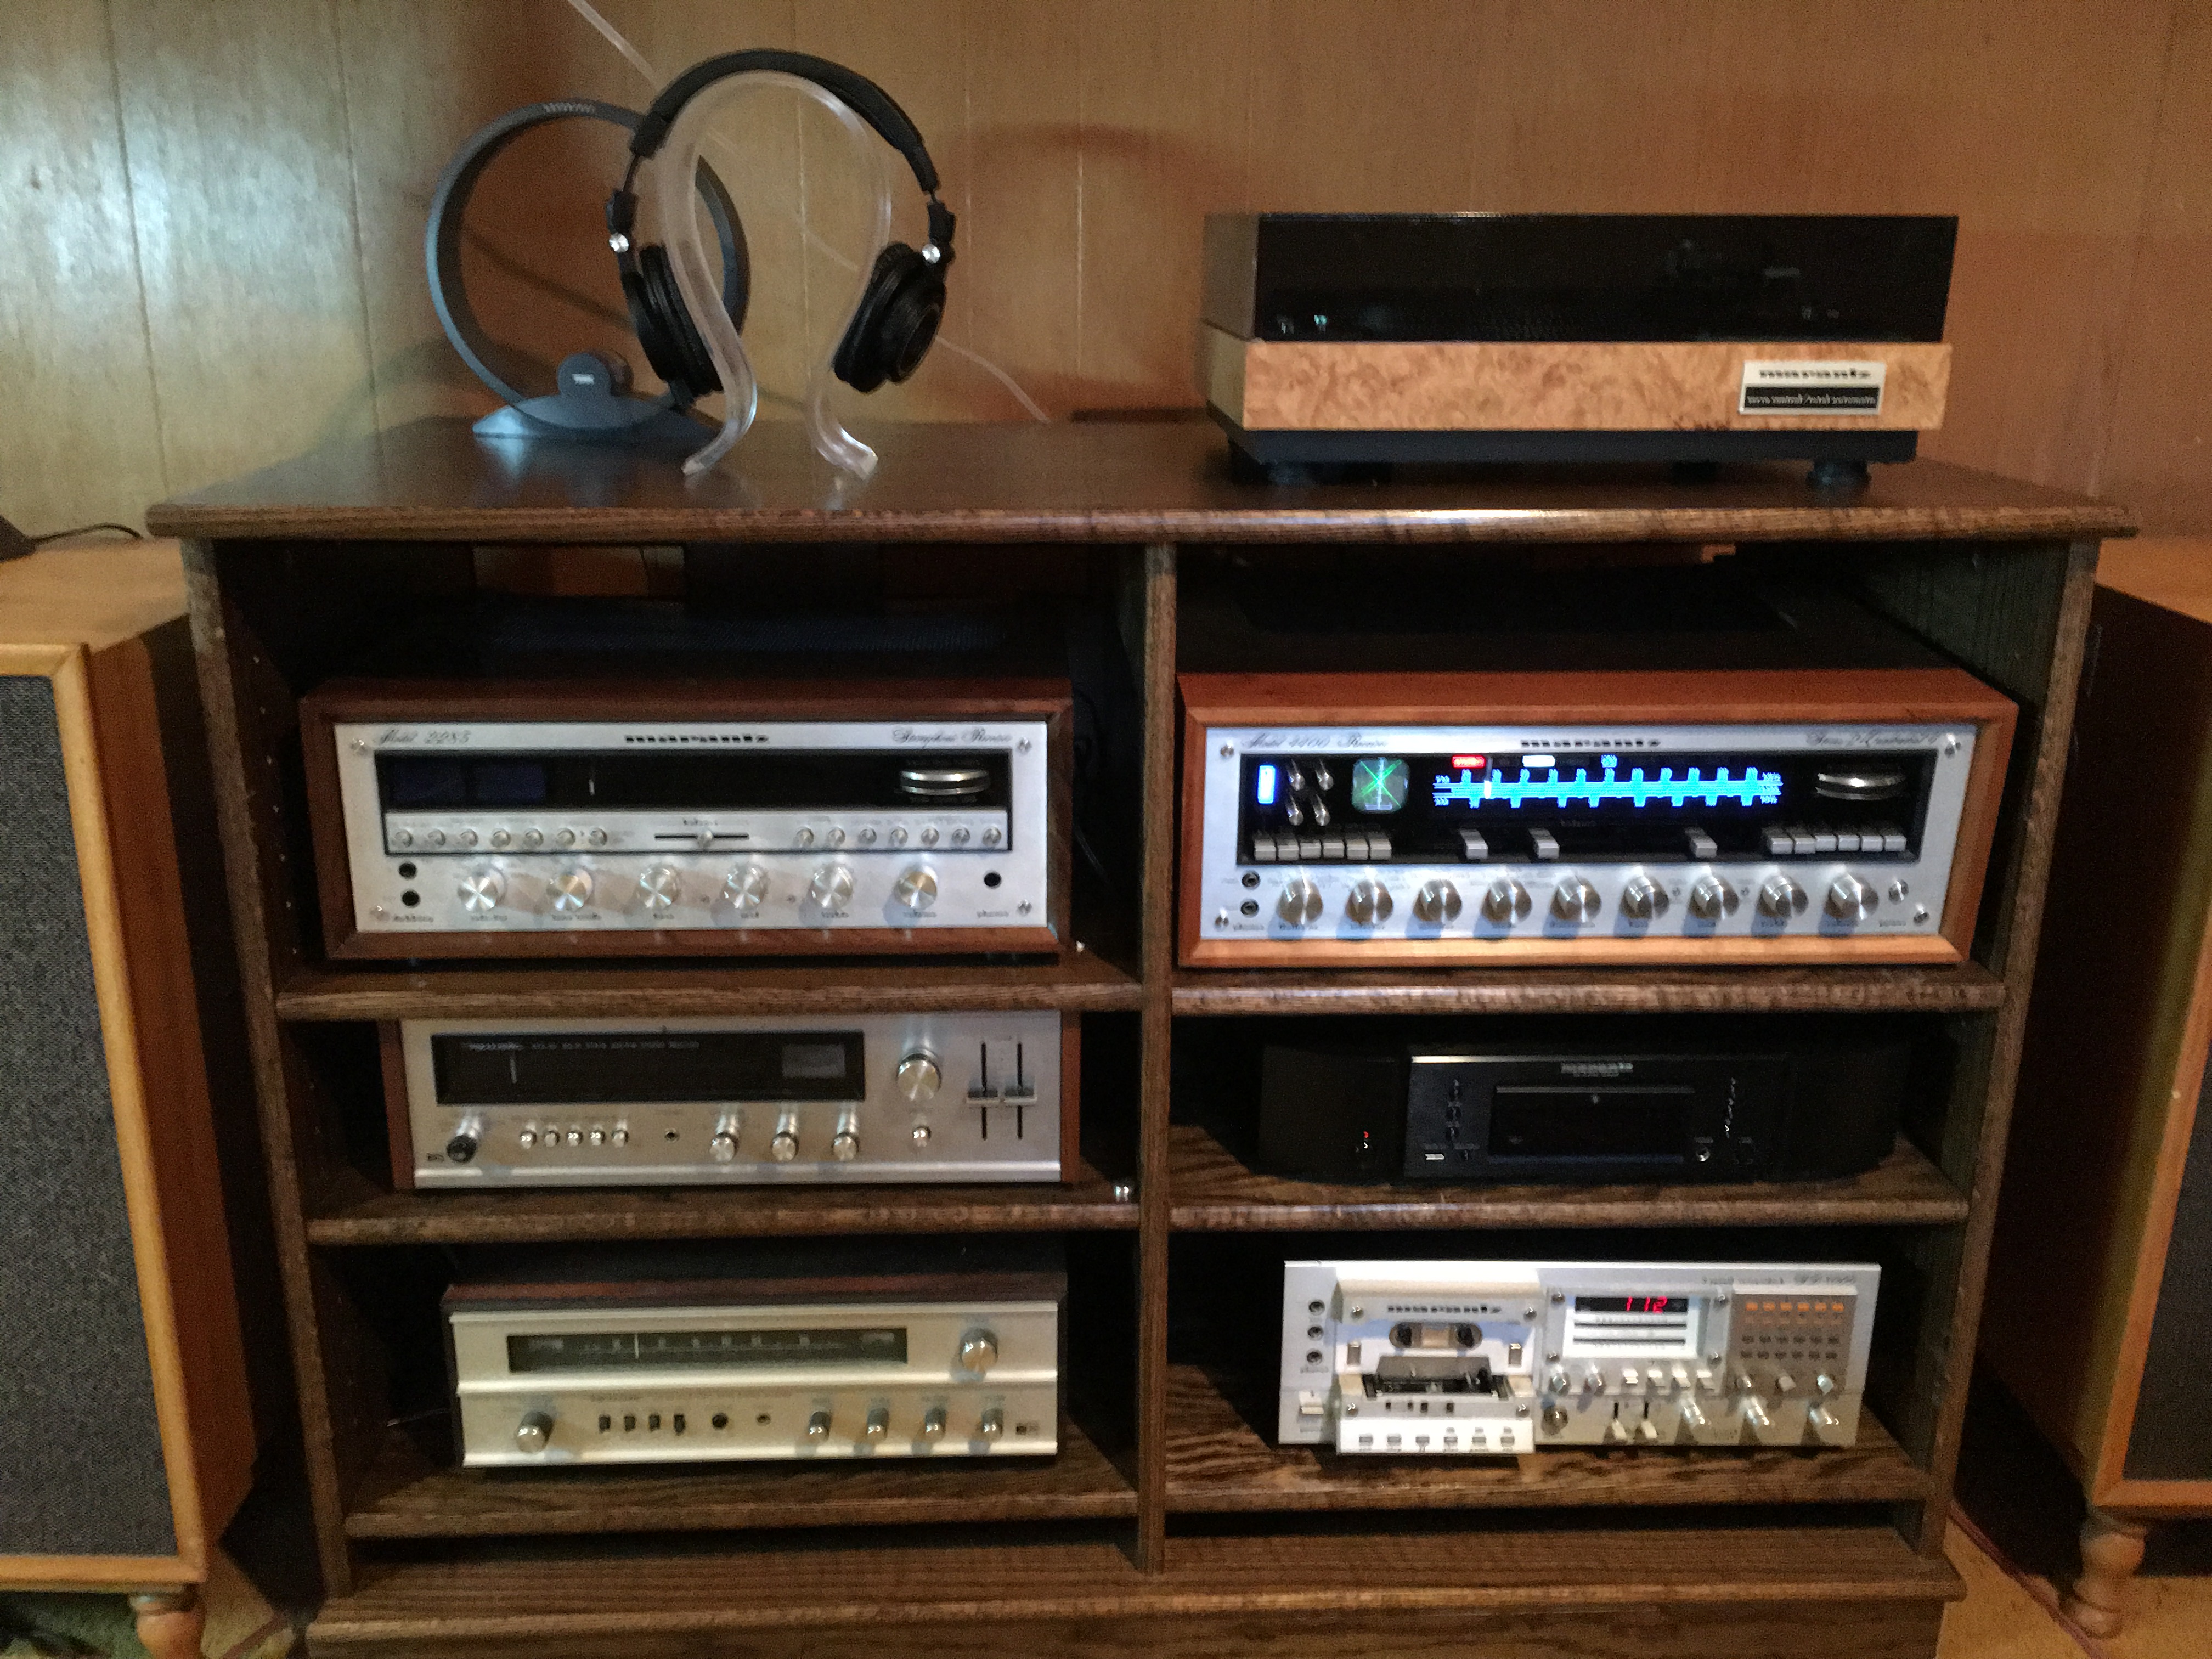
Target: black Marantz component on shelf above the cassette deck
point(1589, 1100)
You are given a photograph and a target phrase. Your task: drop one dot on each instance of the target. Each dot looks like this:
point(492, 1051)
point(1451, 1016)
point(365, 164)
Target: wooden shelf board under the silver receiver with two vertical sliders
point(364, 1215)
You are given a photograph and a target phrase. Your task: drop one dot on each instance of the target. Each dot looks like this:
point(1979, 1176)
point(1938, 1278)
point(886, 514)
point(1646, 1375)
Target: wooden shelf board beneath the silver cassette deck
point(1222, 1457)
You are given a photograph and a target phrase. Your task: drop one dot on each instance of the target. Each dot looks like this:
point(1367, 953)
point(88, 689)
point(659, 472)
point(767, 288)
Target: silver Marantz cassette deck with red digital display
point(1507, 1357)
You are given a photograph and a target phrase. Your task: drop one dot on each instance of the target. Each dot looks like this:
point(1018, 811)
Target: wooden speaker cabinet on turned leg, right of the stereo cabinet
point(2100, 1282)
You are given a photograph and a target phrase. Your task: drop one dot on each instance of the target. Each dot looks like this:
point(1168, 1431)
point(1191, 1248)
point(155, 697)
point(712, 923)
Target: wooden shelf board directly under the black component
point(1213, 1191)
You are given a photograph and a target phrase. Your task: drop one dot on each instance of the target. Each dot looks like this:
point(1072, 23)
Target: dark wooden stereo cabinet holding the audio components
point(1169, 1523)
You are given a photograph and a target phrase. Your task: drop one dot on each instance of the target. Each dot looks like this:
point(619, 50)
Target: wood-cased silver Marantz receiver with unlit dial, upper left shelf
point(640, 820)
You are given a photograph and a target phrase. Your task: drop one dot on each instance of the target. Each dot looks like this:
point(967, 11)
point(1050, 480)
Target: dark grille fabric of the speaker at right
point(2173, 1437)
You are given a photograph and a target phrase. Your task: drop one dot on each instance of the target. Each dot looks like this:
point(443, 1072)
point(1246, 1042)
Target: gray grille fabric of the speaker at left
point(81, 1446)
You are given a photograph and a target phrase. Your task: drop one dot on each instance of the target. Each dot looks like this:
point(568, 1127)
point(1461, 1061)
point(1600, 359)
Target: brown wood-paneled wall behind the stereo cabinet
point(213, 209)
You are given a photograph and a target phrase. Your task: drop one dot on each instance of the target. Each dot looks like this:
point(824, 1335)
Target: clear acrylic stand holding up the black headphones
point(671, 218)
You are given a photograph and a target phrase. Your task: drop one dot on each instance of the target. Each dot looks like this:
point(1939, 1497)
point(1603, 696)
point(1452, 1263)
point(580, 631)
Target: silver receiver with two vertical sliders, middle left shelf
point(733, 1100)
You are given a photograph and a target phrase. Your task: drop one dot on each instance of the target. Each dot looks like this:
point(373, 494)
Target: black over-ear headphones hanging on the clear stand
point(906, 293)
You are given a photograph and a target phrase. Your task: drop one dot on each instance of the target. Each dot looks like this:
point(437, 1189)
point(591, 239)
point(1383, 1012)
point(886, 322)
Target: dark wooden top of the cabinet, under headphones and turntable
point(1085, 483)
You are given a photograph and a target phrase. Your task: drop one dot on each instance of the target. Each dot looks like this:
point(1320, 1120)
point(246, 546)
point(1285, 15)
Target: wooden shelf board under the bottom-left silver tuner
point(413, 1496)
